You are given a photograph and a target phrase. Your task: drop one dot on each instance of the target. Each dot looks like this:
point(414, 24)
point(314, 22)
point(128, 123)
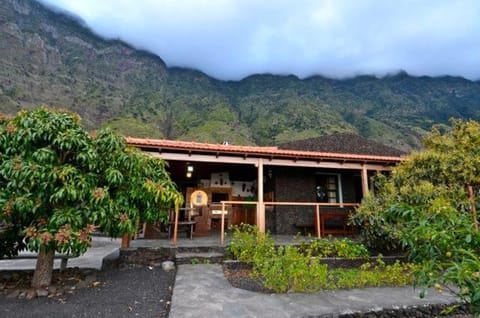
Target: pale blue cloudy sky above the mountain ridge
point(232, 39)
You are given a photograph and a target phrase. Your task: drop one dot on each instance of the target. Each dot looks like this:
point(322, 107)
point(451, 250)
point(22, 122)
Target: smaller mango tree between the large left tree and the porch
point(138, 187)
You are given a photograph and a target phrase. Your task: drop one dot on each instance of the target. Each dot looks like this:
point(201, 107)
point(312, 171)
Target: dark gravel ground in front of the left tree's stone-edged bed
point(133, 292)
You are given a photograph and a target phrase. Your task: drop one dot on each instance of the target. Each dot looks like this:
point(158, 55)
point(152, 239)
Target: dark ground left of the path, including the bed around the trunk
point(130, 292)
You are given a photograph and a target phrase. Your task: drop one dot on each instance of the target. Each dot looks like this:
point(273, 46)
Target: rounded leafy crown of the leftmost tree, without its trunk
point(47, 175)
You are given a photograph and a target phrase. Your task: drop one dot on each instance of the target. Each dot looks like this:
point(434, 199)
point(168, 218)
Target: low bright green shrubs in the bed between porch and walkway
point(295, 268)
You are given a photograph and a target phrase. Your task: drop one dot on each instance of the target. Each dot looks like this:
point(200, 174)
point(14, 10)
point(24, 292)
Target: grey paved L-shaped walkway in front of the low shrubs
point(202, 291)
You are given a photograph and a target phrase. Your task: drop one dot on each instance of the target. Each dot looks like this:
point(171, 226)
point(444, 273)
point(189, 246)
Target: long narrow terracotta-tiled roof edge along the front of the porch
point(258, 151)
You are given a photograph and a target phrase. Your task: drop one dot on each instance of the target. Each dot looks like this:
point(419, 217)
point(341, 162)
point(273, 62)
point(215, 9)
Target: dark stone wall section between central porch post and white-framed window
point(294, 185)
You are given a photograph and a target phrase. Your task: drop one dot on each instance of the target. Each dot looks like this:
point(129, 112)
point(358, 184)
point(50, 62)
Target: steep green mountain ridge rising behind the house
point(49, 57)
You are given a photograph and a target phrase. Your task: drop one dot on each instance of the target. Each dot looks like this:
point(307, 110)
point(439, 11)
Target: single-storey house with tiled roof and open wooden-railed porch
point(291, 185)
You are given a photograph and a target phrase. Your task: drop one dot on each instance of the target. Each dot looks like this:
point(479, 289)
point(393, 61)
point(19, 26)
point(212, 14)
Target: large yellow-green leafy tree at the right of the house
point(426, 207)
